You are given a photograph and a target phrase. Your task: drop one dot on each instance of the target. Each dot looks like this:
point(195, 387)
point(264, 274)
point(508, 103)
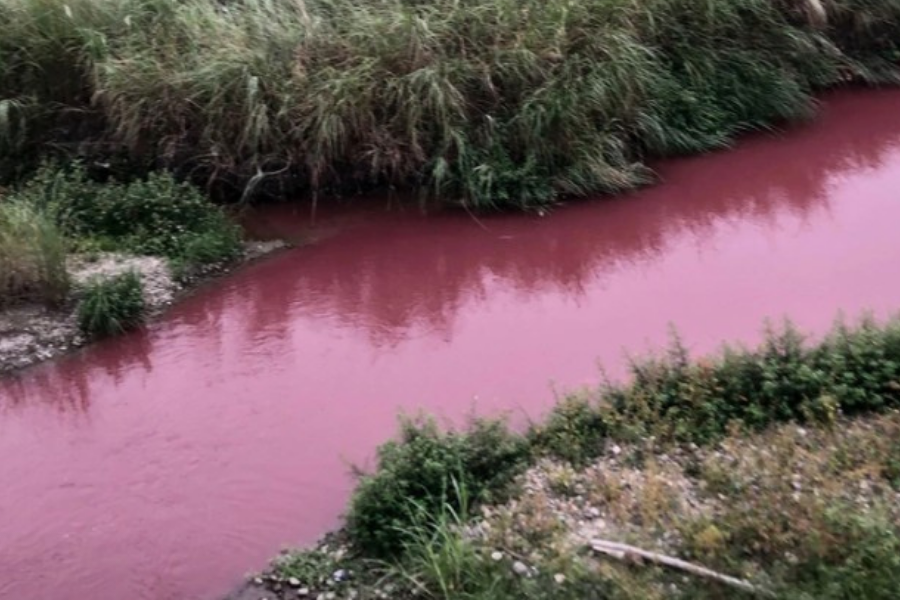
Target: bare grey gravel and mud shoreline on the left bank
point(32, 333)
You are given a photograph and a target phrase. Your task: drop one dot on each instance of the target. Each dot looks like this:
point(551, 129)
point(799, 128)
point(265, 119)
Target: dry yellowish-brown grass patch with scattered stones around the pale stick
point(807, 512)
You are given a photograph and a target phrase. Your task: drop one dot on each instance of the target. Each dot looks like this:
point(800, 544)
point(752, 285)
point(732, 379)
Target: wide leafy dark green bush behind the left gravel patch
point(154, 216)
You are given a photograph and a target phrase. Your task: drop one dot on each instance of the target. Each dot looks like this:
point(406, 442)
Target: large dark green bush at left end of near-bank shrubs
point(419, 470)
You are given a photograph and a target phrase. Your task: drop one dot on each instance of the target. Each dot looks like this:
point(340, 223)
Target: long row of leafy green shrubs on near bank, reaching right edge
point(853, 370)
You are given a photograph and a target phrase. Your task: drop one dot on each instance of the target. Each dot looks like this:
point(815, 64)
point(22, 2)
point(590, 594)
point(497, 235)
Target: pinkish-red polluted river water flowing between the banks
point(168, 463)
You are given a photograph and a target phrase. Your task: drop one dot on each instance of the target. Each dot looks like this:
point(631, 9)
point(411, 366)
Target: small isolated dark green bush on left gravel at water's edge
point(112, 306)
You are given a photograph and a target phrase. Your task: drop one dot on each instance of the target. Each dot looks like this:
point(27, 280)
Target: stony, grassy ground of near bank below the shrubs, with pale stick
point(794, 512)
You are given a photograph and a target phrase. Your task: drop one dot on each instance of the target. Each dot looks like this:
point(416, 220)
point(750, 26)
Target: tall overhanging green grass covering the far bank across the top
point(489, 103)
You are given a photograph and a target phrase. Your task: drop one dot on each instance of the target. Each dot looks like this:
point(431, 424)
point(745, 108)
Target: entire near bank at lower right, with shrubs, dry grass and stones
point(778, 465)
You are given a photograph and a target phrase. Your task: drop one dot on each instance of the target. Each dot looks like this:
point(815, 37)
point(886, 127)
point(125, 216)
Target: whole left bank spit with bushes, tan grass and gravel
point(83, 259)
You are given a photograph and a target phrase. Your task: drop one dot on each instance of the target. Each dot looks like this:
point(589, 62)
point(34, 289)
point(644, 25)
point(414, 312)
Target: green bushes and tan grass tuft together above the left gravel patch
point(60, 210)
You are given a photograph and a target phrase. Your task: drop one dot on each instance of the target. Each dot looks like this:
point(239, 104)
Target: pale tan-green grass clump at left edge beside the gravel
point(32, 254)
